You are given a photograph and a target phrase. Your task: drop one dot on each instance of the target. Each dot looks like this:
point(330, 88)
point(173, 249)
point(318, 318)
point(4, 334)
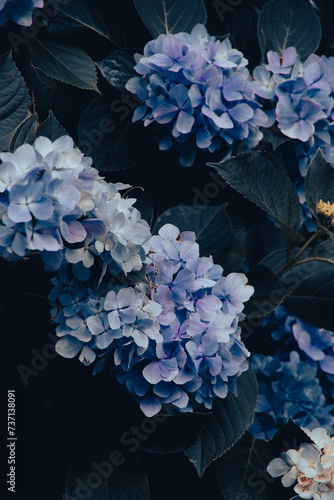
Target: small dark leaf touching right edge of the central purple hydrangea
point(268, 293)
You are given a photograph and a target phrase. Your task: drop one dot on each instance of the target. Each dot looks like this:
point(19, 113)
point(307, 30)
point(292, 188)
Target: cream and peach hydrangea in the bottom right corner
point(311, 467)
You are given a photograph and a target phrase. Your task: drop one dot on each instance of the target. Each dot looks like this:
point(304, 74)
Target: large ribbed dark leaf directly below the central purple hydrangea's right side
point(230, 418)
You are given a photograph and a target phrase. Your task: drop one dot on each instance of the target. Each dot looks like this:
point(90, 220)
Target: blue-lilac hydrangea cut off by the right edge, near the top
point(303, 93)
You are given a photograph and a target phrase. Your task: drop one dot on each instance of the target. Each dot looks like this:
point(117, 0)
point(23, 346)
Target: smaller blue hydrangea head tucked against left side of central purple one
point(90, 319)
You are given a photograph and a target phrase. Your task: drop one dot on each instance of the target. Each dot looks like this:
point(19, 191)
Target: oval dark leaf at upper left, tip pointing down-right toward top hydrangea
point(65, 63)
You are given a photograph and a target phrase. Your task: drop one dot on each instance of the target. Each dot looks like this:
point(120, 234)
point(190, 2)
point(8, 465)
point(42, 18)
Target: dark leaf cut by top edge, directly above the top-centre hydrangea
point(170, 16)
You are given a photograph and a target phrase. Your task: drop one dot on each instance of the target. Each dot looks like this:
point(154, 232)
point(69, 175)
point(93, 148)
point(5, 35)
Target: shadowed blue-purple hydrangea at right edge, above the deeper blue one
point(315, 345)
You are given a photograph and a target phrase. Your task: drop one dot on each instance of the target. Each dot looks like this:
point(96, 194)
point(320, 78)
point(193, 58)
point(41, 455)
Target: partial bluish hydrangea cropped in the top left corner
point(18, 11)
